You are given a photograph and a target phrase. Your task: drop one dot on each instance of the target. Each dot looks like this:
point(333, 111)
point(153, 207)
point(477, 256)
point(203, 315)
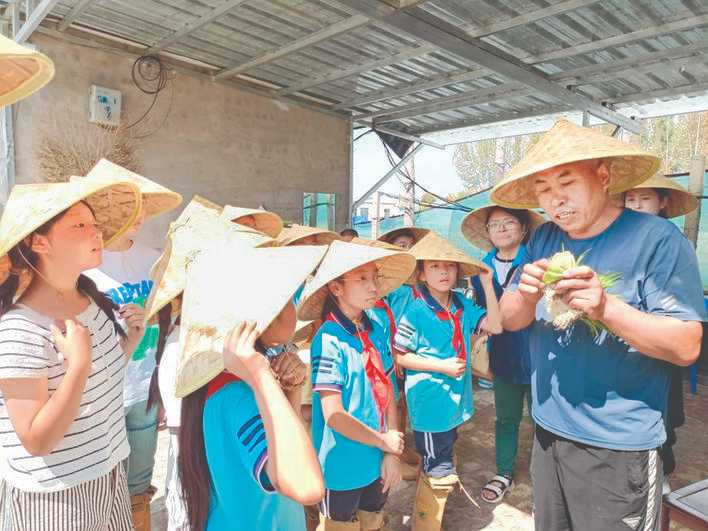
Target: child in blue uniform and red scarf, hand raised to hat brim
point(434, 344)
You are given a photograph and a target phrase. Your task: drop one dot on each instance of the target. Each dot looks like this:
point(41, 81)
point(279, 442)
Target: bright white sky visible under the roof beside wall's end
point(433, 167)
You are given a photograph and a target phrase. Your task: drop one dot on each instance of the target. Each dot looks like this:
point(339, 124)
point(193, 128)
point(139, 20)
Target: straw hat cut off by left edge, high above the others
point(22, 71)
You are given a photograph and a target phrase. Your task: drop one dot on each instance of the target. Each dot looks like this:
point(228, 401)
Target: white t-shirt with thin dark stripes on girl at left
point(96, 441)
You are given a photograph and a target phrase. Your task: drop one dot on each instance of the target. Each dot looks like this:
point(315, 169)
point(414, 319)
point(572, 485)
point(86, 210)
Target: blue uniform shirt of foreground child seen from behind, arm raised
point(236, 451)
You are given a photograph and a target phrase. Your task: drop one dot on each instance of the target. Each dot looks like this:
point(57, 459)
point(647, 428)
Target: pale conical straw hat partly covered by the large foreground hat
point(199, 227)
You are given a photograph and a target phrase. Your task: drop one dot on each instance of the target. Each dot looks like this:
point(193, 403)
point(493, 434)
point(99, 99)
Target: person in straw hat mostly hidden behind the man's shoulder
point(661, 196)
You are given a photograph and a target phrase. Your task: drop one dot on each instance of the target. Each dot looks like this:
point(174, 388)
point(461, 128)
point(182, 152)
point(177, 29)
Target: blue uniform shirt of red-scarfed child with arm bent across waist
point(338, 365)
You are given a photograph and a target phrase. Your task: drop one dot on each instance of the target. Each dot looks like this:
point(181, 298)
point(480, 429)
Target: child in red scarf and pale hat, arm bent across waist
point(354, 421)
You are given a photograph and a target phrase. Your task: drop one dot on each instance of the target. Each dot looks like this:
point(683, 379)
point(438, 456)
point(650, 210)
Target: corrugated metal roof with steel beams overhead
point(382, 65)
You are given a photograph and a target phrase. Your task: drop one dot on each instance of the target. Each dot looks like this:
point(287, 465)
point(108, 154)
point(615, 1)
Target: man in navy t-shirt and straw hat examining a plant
point(621, 302)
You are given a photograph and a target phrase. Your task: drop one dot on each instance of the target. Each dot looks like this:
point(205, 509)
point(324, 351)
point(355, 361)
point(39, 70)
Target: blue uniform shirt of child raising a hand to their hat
point(437, 402)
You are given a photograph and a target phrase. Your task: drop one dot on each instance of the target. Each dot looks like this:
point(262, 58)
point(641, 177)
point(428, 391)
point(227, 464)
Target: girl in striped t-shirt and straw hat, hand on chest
point(62, 358)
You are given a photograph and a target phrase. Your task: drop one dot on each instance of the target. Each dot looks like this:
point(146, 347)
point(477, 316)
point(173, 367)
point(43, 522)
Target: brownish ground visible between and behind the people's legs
point(475, 448)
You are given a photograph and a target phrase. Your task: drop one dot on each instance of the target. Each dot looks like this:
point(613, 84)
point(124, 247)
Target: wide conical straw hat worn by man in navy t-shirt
point(566, 142)
